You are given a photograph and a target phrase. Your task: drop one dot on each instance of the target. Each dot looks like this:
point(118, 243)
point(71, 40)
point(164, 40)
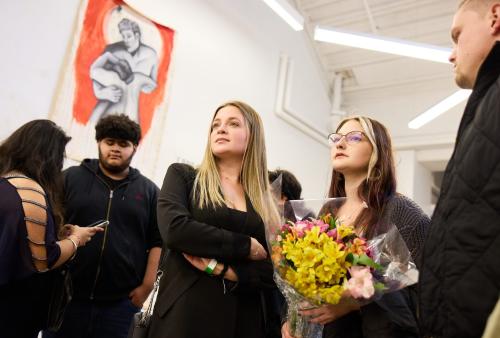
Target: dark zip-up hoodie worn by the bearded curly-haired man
point(113, 263)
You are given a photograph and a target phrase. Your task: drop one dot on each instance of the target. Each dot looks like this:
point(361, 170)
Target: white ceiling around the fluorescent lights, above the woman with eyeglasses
point(390, 88)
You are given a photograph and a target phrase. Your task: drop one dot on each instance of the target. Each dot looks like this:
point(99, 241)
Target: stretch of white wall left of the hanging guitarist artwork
point(36, 37)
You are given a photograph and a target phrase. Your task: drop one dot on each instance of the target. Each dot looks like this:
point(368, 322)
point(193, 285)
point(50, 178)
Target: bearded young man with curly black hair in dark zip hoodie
point(114, 273)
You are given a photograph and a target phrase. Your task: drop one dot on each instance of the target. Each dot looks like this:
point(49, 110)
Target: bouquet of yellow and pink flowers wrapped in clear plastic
point(321, 260)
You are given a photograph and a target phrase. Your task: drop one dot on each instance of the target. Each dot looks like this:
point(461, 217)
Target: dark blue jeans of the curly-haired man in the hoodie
point(96, 319)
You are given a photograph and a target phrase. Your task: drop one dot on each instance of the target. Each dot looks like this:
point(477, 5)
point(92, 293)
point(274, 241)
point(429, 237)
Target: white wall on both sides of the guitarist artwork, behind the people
point(223, 50)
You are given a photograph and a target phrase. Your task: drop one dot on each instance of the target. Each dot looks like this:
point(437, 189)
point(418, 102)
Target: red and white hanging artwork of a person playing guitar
point(118, 62)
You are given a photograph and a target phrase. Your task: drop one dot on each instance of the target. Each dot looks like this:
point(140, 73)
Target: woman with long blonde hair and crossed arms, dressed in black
point(211, 221)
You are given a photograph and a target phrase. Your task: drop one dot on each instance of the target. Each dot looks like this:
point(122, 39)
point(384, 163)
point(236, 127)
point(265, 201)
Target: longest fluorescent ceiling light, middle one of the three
point(382, 44)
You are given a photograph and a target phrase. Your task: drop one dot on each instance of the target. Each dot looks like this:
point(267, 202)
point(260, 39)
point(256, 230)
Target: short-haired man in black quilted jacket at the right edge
point(460, 278)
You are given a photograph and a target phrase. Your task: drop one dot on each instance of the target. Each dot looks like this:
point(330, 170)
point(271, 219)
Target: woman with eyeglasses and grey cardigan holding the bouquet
point(363, 171)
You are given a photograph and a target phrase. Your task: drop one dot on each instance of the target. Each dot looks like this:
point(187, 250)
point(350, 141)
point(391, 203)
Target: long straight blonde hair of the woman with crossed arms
point(253, 175)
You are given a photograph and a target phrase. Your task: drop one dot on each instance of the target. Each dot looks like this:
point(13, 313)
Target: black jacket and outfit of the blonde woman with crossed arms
point(192, 304)
